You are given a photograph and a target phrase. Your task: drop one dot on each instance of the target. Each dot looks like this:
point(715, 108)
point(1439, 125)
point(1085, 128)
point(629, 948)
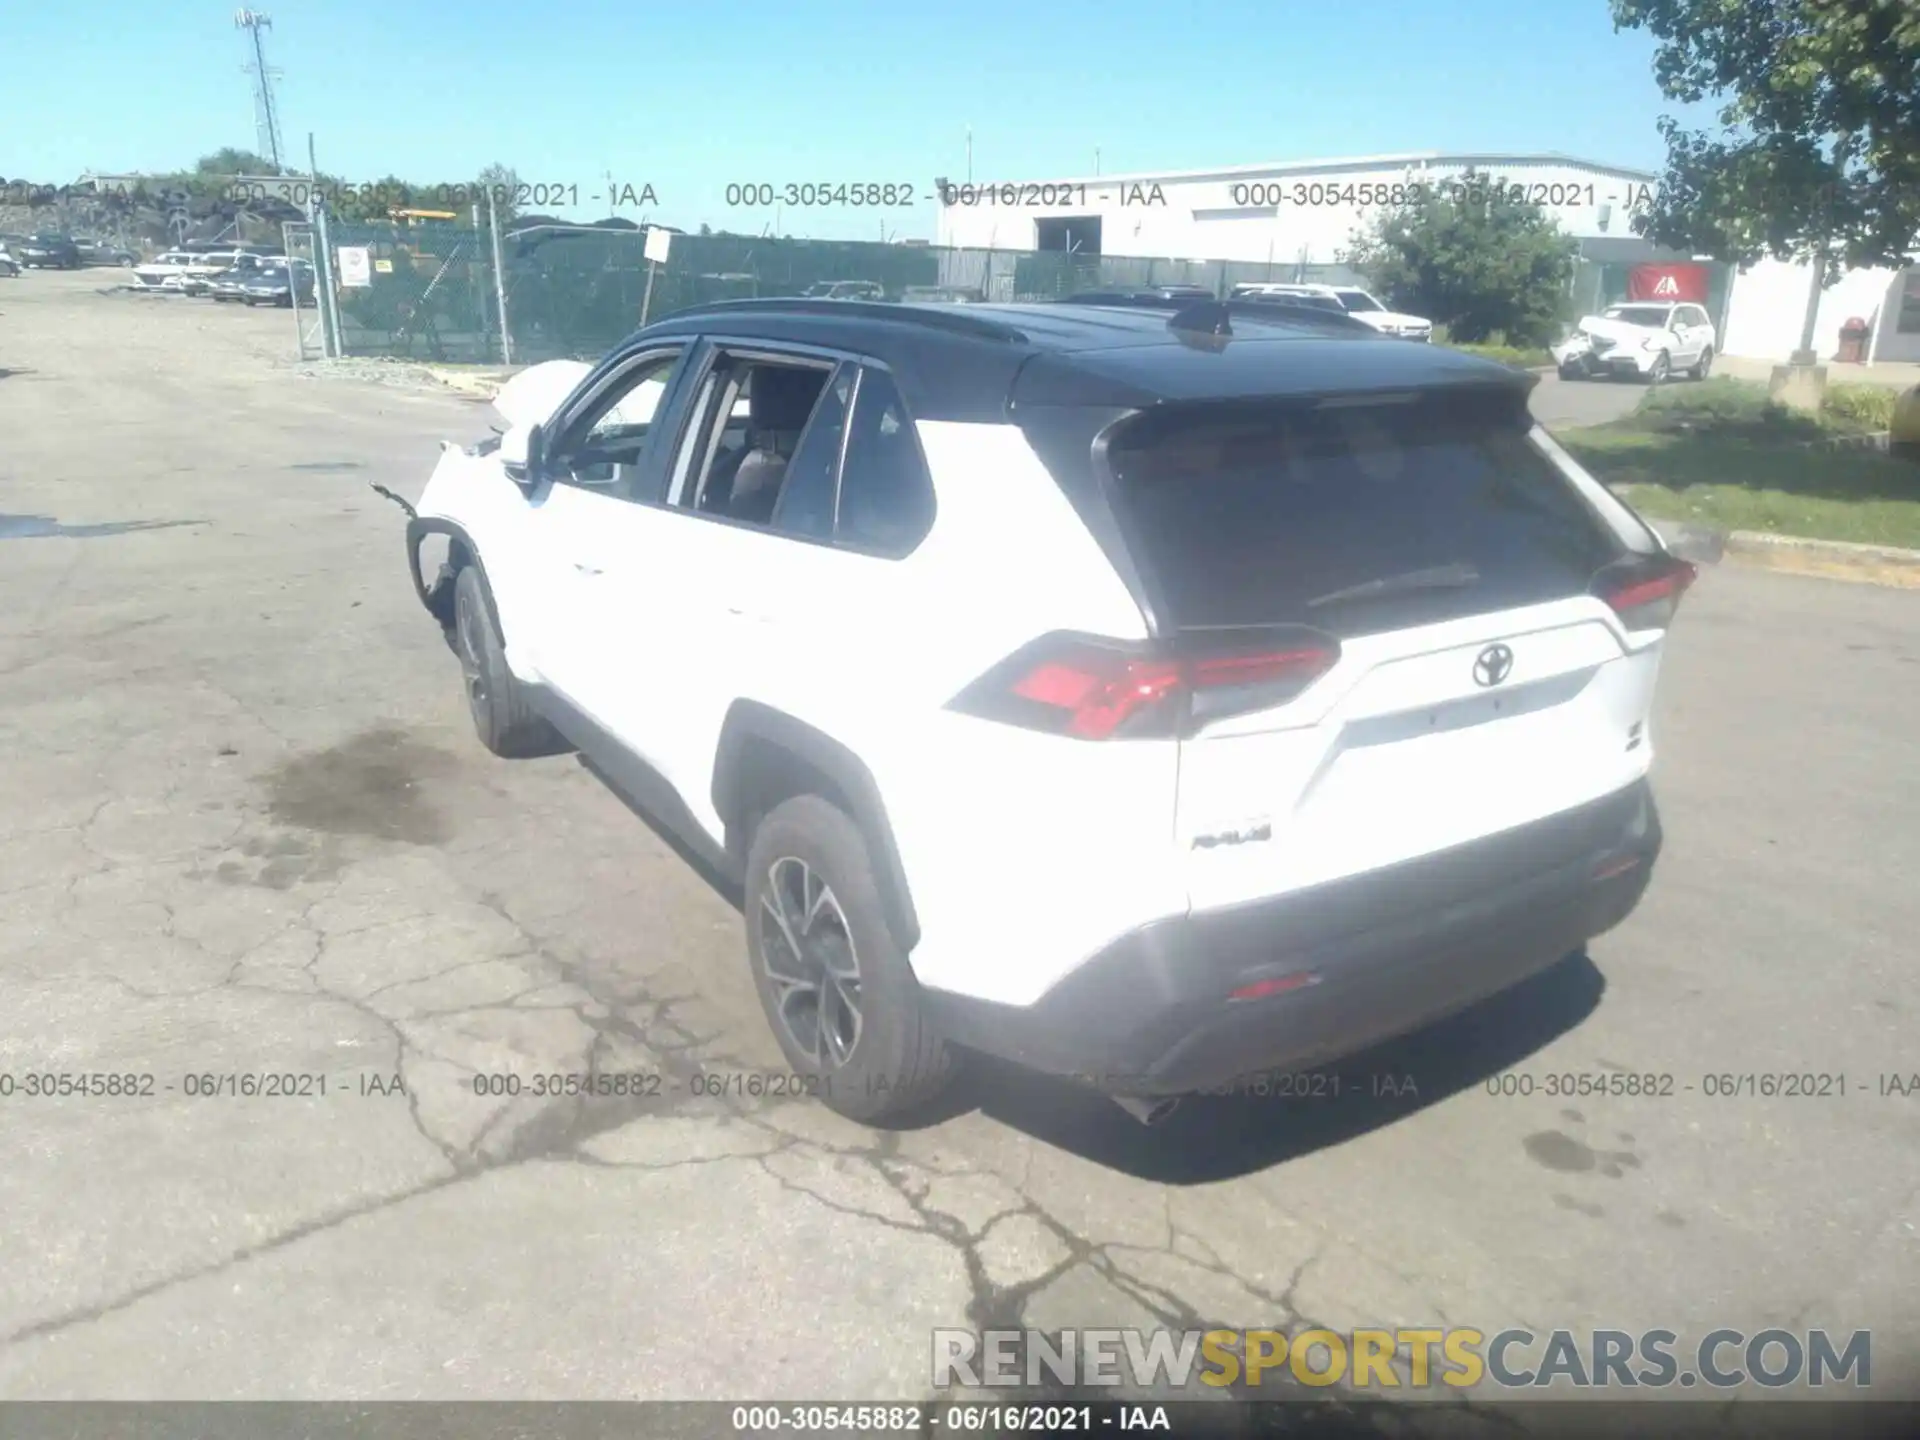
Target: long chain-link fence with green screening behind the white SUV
point(431, 293)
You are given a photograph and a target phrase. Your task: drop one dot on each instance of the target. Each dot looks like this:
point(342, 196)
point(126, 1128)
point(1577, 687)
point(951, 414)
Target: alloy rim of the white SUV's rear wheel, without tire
point(809, 959)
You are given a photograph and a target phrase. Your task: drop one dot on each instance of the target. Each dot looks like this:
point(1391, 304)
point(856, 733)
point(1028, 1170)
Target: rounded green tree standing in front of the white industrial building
point(1472, 258)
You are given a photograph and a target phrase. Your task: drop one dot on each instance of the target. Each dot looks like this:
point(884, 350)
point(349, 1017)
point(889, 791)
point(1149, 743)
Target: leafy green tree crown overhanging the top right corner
point(1819, 145)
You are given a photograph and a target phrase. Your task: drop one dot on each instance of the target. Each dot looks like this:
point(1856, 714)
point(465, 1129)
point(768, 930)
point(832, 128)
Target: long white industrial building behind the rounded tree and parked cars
point(1297, 220)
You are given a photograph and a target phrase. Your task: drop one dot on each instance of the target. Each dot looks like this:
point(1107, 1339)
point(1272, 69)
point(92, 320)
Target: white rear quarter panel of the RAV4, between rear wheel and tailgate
point(1024, 852)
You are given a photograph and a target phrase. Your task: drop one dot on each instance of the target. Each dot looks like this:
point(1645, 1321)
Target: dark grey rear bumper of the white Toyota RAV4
point(1383, 955)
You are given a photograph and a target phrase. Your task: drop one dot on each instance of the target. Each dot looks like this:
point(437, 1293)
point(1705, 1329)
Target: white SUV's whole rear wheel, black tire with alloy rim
point(838, 990)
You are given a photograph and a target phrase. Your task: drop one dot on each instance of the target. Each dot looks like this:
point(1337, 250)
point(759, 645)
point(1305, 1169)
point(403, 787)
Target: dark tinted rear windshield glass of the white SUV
point(1355, 521)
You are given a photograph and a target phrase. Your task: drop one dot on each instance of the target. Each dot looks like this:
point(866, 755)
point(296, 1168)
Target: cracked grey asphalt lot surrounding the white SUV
point(247, 832)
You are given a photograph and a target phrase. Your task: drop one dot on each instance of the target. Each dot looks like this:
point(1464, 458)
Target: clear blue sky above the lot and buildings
point(690, 97)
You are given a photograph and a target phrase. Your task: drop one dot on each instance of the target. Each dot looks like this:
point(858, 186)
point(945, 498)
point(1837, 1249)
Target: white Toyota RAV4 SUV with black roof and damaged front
point(1155, 692)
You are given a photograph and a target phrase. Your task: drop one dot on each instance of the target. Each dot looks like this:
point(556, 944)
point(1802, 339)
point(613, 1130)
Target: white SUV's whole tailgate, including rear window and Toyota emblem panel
point(1479, 683)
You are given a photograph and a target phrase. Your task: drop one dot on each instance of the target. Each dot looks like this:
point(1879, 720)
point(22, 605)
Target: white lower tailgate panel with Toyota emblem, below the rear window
point(1410, 748)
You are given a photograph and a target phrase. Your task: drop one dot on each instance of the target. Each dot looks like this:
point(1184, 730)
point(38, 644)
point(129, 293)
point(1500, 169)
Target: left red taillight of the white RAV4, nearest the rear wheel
point(1107, 690)
